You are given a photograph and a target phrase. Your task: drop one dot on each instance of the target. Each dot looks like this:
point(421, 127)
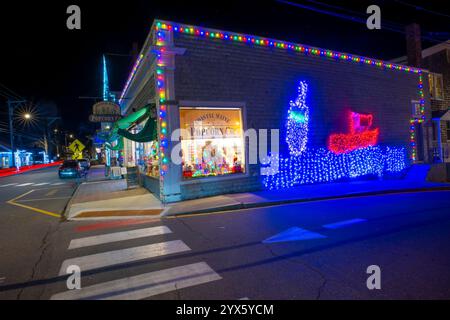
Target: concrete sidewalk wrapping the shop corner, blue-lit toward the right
point(100, 195)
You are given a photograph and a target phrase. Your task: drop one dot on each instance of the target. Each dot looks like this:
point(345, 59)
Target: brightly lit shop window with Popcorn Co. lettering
point(212, 142)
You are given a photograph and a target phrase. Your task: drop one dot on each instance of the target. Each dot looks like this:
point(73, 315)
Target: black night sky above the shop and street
point(42, 60)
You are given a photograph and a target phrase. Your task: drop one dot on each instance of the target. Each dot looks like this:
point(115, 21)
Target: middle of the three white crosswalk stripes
point(124, 255)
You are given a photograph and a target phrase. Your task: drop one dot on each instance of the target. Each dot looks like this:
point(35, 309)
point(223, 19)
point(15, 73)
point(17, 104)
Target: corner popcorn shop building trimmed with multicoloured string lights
point(339, 116)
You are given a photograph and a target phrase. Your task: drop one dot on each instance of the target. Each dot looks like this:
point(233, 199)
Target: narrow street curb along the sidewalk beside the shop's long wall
point(242, 206)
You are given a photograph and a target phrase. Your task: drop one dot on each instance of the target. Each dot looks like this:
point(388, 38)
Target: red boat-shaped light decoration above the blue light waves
point(360, 135)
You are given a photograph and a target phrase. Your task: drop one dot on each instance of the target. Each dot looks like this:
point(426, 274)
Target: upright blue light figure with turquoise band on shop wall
point(297, 122)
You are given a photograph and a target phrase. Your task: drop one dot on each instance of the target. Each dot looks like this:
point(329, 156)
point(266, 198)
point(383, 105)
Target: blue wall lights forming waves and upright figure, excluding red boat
point(306, 165)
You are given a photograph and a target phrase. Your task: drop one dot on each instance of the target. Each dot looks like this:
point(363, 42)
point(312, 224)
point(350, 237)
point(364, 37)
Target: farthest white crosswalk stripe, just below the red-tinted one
point(118, 236)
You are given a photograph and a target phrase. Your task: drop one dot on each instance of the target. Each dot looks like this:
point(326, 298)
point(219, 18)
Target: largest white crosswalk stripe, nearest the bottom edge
point(145, 285)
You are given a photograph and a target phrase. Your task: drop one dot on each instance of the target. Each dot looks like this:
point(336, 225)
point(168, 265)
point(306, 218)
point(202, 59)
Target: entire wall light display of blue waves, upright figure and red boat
point(350, 154)
